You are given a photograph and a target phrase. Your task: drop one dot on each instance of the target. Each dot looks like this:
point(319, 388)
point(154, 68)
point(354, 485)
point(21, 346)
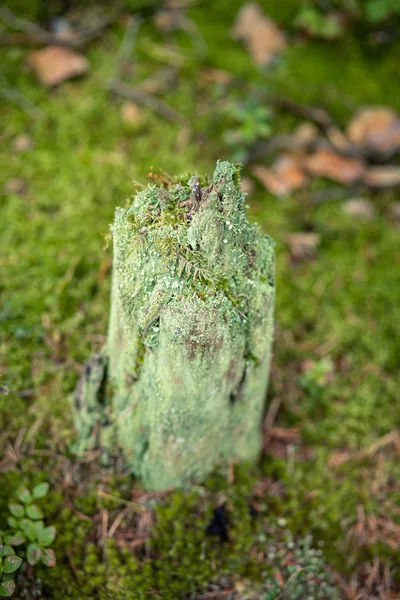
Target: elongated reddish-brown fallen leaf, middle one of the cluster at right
point(326, 163)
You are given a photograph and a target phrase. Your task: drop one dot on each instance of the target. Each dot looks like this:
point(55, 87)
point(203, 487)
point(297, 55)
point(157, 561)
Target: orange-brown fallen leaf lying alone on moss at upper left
point(54, 64)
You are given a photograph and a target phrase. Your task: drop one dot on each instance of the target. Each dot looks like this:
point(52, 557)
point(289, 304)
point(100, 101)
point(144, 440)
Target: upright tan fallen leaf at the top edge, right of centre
point(261, 35)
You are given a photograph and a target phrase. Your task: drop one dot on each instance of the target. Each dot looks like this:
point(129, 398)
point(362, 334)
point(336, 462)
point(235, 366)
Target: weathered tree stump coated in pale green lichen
point(180, 385)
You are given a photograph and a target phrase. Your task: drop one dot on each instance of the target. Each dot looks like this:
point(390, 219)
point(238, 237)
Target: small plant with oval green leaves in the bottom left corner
point(27, 526)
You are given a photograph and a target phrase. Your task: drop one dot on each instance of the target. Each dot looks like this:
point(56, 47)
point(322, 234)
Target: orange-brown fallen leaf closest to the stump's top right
point(284, 176)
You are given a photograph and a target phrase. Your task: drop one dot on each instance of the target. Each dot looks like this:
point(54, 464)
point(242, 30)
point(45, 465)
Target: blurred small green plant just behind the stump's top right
point(253, 123)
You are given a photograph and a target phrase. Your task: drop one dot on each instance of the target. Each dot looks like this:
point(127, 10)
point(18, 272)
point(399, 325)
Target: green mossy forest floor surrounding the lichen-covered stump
point(341, 305)
